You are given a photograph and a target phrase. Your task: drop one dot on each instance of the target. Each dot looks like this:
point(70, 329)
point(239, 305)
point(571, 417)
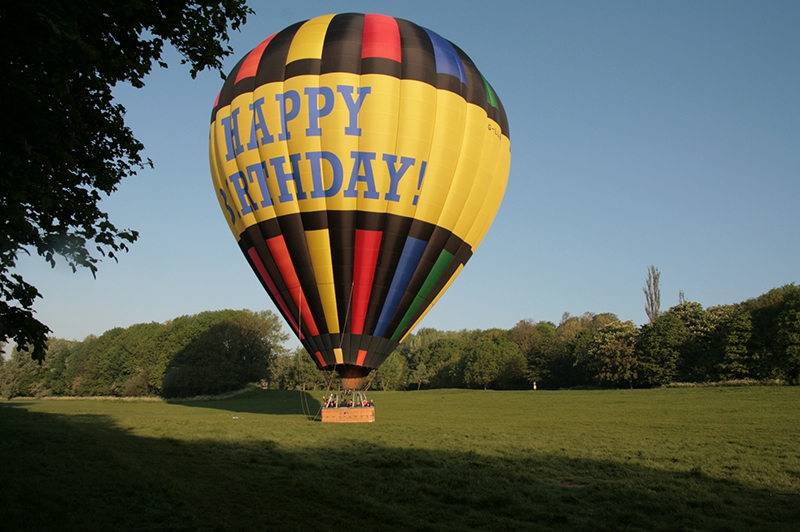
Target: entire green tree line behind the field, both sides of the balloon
point(215, 352)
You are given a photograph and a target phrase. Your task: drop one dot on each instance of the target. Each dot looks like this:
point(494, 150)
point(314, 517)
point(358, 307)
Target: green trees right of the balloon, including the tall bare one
point(758, 339)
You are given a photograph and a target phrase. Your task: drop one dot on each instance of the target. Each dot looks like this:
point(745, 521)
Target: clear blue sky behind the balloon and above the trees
point(663, 133)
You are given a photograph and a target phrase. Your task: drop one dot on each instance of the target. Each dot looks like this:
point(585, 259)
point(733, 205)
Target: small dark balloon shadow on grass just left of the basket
point(256, 401)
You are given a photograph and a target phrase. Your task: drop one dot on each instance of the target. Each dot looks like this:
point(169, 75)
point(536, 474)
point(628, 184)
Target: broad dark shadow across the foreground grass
point(84, 473)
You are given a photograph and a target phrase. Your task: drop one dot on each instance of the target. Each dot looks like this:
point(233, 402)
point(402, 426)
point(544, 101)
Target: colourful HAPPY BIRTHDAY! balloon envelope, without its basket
point(359, 161)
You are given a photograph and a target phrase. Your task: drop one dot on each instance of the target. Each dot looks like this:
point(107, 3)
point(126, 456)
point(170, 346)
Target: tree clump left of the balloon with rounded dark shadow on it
point(205, 353)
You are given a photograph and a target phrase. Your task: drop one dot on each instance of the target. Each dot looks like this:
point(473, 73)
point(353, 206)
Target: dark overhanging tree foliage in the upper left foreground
point(63, 142)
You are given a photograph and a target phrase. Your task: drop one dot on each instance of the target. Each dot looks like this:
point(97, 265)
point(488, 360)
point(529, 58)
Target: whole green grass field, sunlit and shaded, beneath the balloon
point(663, 459)
